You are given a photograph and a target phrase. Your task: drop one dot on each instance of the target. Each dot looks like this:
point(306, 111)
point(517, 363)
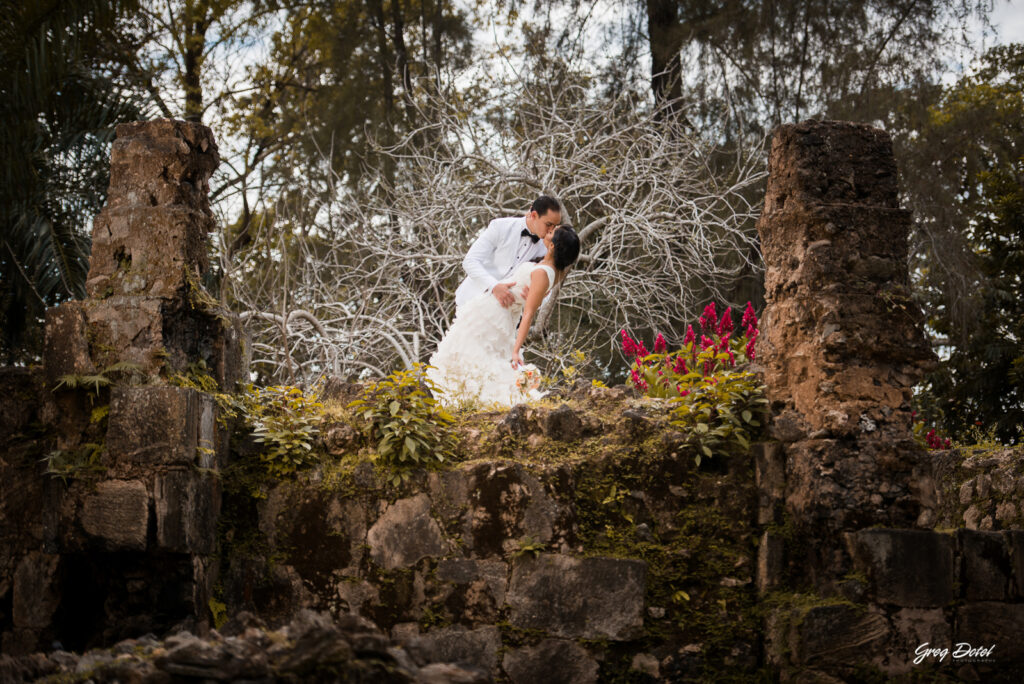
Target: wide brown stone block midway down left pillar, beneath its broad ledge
point(161, 425)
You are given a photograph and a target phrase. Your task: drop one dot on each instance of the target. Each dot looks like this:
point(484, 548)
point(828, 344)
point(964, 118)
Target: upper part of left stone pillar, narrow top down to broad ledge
point(147, 305)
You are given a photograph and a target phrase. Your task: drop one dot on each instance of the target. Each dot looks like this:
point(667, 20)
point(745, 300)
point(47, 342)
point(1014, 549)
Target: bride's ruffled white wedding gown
point(474, 362)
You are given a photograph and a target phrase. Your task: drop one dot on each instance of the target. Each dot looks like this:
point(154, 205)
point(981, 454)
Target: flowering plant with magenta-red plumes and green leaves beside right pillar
point(717, 401)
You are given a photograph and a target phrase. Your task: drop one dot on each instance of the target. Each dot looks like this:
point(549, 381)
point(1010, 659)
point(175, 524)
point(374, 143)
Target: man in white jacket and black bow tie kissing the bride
point(505, 245)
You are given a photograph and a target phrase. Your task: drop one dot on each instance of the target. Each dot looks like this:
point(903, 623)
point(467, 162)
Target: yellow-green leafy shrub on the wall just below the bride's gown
point(409, 426)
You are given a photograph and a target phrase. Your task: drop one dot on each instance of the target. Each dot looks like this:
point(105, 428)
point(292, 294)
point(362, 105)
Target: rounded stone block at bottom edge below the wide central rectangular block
point(551, 662)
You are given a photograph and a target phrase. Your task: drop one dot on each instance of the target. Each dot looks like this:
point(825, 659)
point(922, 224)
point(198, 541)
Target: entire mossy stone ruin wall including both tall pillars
point(850, 566)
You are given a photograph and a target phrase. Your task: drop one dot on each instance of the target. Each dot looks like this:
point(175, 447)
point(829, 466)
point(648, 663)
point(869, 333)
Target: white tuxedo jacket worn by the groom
point(495, 255)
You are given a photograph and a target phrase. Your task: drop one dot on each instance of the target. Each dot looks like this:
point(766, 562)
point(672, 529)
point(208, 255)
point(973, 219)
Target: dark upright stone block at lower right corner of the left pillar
point(187, 505)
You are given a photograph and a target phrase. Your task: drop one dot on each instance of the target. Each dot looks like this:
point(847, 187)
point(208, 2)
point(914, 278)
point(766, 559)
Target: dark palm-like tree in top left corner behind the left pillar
point(59, 109)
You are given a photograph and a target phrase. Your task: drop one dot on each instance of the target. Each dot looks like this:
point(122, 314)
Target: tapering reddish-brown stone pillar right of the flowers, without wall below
point(844, 344)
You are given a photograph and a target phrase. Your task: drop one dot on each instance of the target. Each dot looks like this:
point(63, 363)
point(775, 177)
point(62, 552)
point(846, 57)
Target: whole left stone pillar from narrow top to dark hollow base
point(153, 511)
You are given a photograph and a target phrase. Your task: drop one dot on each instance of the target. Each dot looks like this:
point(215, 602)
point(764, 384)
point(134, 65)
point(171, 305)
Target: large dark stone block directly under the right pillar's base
point(911, 569)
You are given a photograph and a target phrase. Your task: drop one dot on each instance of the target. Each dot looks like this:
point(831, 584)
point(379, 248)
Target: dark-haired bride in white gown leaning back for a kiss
point(480, 360)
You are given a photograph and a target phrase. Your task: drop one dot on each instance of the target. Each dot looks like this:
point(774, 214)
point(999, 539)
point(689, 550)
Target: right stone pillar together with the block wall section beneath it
point(850, 502)
